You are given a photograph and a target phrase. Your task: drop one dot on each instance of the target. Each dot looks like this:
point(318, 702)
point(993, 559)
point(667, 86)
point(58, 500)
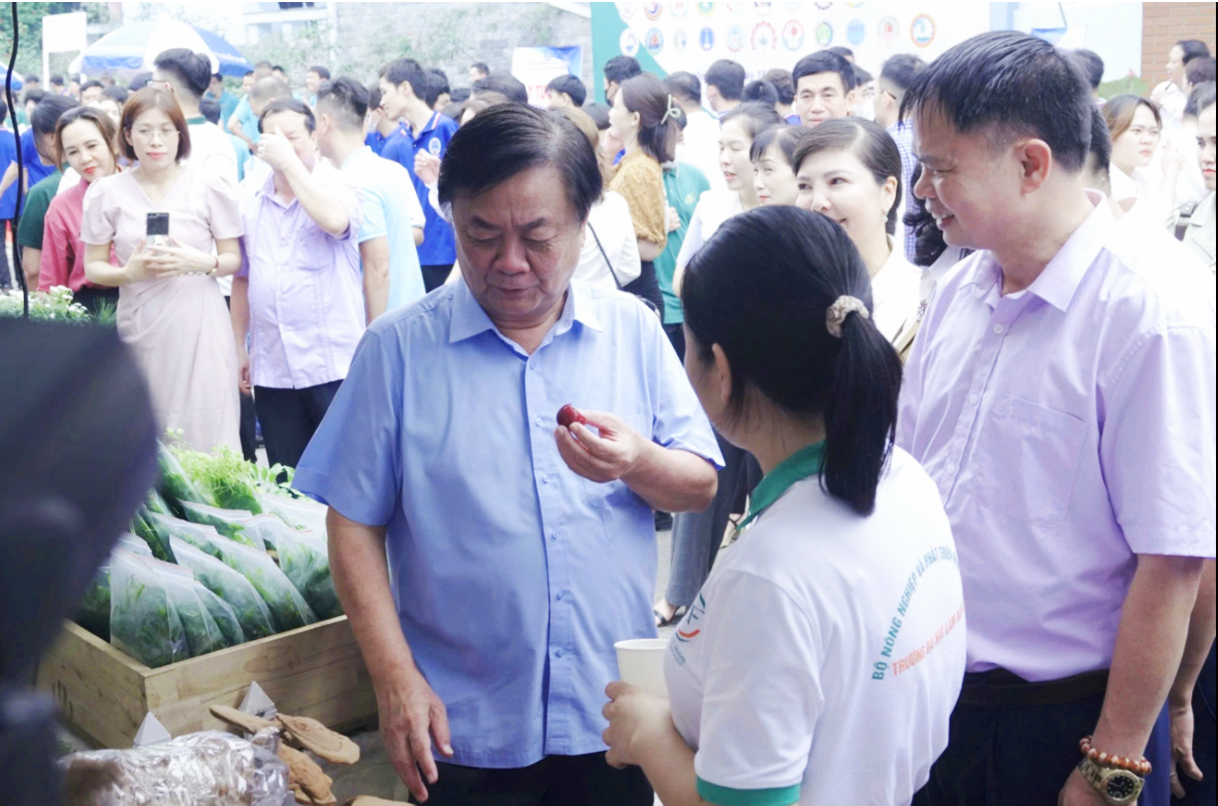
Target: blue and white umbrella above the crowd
point(132, 49)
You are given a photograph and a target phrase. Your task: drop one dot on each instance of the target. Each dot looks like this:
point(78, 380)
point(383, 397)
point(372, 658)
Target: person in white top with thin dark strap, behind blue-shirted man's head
point(610, 259)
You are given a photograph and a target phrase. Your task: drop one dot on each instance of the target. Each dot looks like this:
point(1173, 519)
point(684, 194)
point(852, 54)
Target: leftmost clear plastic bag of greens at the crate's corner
point(144, 620)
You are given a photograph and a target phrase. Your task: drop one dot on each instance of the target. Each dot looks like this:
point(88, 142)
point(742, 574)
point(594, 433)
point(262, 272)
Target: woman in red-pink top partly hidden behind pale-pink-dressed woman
point(88, 141)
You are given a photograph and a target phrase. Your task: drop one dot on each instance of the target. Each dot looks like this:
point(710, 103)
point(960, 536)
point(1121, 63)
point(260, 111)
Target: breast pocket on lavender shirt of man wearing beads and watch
point(1027, 461)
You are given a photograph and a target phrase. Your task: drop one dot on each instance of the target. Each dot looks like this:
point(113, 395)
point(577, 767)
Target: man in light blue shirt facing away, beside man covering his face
point(394, 220)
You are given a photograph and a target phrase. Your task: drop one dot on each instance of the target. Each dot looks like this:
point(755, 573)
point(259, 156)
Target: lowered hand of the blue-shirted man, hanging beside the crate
point(411, 718)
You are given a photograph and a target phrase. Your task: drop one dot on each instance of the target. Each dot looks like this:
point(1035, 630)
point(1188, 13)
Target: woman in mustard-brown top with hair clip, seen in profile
point(644, 119)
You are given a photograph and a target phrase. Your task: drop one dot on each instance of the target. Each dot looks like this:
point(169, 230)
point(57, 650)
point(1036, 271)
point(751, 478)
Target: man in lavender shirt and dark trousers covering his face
point(299, 294)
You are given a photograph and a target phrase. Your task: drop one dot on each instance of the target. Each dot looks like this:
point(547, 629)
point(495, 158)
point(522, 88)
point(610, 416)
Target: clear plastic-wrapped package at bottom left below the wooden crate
point(210, 768)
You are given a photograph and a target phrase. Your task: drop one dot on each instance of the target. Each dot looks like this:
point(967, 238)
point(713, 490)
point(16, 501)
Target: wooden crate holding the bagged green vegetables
point(314, 671)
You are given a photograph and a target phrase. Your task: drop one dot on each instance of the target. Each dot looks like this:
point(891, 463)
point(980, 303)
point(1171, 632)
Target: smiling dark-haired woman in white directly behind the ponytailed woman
point(850, 171)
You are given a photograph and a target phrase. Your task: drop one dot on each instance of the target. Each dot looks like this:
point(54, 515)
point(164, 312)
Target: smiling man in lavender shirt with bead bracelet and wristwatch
point(1061, 394)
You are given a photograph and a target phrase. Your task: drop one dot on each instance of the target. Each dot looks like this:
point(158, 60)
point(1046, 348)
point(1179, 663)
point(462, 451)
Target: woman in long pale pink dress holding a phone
point(171, 310)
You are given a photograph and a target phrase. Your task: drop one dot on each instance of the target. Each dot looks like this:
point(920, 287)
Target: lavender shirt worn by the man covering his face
point(306, 294)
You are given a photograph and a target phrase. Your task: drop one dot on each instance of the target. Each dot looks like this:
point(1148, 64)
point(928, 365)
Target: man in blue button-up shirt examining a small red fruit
point(487, 556)
